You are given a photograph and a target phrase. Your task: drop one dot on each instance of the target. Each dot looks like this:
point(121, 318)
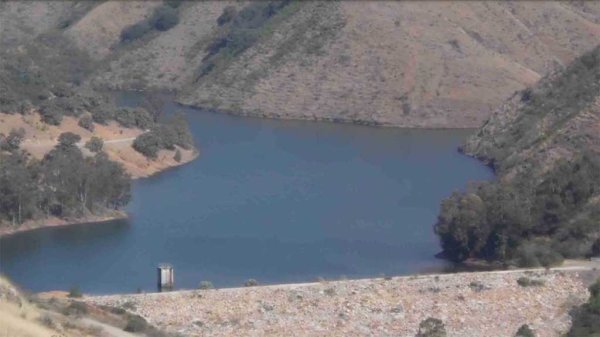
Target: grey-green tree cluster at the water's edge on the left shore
point(64, 184)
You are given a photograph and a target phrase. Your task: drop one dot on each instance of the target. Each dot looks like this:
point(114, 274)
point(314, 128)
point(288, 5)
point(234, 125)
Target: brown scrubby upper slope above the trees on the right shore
point(557, 118)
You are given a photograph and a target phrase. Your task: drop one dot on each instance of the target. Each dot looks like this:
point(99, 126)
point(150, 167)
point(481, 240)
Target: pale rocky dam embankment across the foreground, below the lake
point(490, 304)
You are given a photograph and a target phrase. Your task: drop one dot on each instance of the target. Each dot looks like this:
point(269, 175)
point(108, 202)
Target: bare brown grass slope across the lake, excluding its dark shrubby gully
point(413, 64)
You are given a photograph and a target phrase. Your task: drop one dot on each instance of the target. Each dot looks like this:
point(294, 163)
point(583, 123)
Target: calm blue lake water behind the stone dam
point(277, 201)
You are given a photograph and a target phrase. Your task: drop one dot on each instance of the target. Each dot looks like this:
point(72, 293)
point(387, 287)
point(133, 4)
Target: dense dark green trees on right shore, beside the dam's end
point(525, 222)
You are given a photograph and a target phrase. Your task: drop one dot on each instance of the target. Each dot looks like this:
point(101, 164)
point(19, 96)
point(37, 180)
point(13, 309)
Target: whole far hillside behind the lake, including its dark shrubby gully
point(412, 64)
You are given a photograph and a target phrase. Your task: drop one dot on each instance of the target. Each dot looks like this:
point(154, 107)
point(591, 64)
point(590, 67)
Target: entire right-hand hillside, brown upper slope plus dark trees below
point(544, 144)
